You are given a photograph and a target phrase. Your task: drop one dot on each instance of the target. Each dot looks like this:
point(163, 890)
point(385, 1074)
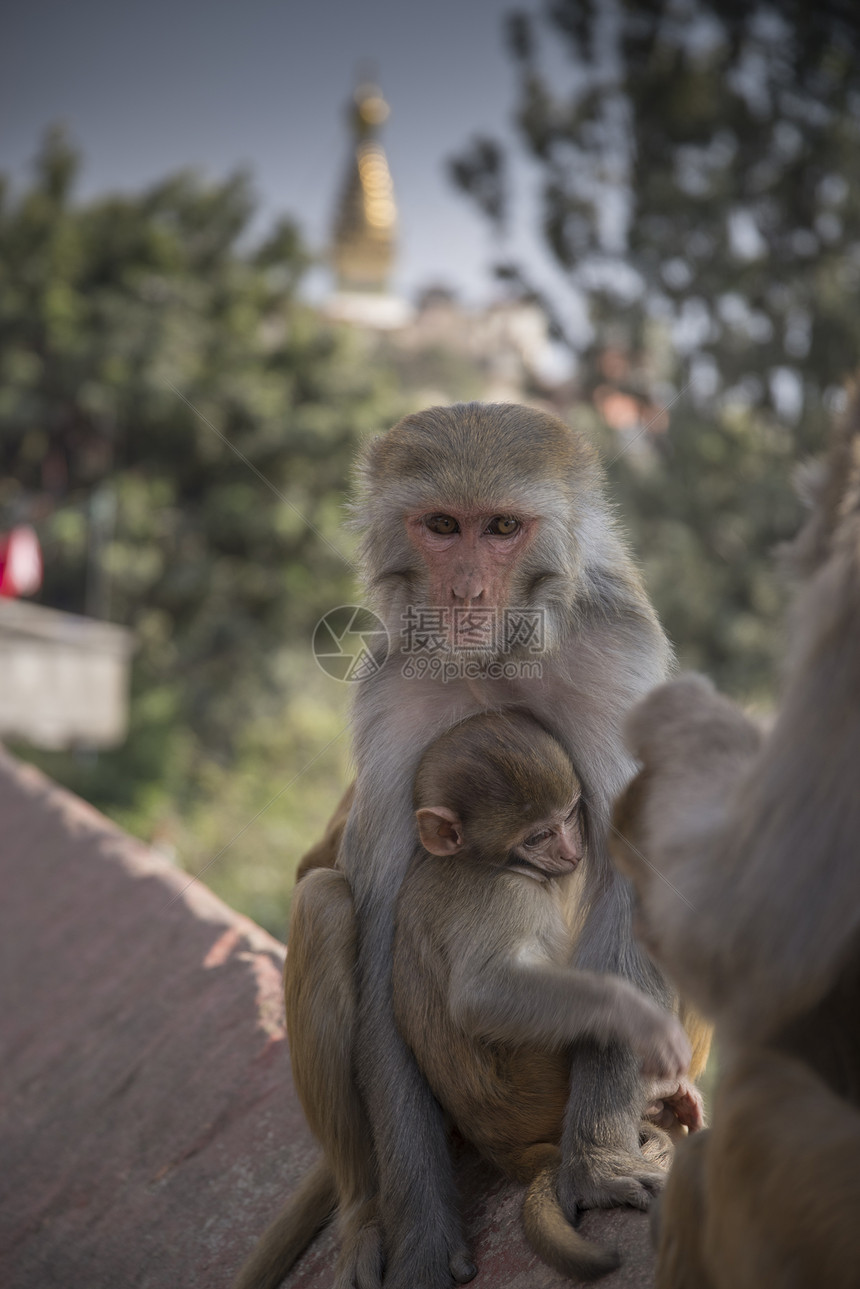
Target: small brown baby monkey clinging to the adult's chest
point(485, 994)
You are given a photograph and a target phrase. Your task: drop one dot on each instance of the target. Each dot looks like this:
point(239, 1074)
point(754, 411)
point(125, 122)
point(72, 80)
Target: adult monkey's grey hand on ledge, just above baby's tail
point(608, 1178)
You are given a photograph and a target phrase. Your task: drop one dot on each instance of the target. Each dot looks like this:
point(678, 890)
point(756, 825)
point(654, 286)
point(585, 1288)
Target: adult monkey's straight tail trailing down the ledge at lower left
point(305, 1215)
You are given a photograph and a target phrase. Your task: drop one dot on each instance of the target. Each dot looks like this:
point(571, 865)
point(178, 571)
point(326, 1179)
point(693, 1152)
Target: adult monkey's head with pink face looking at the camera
point(471, 511)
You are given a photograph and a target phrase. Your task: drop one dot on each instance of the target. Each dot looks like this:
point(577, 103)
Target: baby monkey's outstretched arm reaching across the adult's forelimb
point(516, 997)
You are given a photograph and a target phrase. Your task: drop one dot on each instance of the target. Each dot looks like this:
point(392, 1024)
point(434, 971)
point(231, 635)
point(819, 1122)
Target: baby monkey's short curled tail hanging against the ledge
point(551, 1234)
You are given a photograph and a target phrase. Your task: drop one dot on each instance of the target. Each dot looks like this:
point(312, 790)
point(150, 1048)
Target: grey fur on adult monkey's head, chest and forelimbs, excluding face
point(607, 650)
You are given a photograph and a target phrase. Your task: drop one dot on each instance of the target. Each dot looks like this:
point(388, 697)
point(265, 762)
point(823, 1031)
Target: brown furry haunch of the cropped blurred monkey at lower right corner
point(770, 1196)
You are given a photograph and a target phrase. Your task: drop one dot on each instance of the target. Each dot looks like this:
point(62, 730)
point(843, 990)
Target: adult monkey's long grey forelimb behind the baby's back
point(418, 1205)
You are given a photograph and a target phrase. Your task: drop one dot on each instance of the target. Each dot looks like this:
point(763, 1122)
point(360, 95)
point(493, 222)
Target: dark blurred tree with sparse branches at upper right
point(699, 171)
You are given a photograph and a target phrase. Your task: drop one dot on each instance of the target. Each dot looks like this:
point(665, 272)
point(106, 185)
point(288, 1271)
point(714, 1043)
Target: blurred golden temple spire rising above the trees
point(367, 218)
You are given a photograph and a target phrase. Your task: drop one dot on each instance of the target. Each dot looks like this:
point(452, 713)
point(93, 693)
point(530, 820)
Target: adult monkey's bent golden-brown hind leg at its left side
point(322, 1013)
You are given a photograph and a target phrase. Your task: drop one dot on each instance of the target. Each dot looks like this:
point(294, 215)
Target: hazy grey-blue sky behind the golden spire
point(149, 88)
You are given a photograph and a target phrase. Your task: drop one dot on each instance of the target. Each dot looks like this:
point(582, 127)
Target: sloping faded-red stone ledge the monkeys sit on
point(149, 1126)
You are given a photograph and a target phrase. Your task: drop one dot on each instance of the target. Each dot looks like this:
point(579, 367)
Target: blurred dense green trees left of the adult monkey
point(179, 426)
